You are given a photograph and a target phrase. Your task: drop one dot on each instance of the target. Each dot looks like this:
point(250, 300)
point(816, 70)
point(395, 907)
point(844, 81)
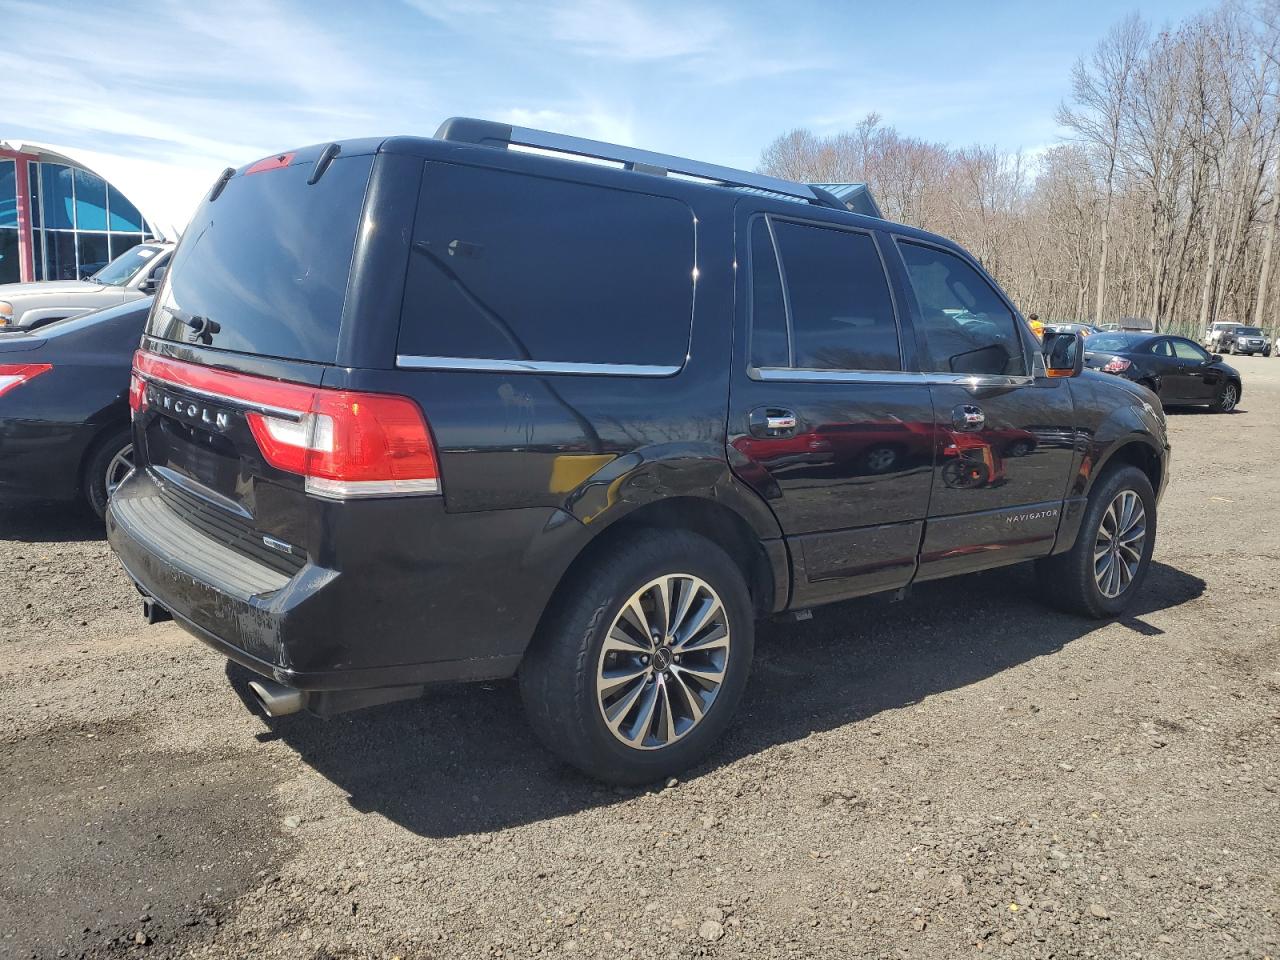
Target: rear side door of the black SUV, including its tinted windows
point(829, 422)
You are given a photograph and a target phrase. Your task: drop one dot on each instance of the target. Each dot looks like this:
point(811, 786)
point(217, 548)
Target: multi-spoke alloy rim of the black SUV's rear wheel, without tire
point(664, 661)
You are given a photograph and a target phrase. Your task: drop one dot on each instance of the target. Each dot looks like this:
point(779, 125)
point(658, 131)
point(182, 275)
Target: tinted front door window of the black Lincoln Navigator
point(967, 326)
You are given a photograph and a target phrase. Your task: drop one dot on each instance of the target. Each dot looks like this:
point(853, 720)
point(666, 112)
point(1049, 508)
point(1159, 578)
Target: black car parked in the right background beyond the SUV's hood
point(1176, 369)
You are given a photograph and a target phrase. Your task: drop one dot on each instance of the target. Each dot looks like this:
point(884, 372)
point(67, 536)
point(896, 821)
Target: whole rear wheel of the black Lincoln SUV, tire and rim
point(642, 708)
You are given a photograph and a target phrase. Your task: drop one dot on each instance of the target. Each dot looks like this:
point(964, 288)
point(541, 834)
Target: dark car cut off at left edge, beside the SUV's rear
point(65, 410)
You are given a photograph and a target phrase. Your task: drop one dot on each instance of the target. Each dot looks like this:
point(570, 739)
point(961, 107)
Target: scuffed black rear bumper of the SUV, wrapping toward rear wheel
point(401, 611)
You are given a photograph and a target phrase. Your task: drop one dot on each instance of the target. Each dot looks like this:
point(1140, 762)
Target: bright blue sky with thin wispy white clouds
point(202, 85)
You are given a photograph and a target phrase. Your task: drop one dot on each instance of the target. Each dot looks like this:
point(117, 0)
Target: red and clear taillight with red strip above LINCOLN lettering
point(345, 444)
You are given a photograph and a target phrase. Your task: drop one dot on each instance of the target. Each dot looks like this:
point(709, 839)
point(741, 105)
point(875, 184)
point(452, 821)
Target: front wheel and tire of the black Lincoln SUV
point(1086, 579)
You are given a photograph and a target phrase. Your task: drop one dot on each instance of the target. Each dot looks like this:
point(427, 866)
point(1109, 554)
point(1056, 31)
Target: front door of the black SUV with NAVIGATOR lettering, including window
point(1007, 437)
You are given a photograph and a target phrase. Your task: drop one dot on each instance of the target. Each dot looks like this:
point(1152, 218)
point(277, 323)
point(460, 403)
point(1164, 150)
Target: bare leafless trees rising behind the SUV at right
point(1160, 202)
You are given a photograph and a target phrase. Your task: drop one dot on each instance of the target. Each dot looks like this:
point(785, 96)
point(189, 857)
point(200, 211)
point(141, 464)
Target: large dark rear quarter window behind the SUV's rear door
point(510, 267)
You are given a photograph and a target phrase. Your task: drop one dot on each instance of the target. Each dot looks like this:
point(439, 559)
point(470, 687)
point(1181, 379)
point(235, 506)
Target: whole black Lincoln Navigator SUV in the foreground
point(426, 410)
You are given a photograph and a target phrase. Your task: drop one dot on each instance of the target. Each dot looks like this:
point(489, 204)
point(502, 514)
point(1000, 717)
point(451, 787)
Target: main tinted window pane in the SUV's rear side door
point(842, 314)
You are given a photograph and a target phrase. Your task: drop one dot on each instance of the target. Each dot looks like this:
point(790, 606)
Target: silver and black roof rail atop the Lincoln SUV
point(465, 130)
